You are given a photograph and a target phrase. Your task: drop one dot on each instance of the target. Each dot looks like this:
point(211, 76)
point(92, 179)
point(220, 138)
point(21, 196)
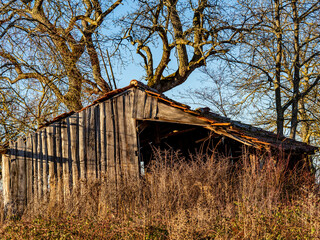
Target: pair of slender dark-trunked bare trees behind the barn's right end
point(279, 60)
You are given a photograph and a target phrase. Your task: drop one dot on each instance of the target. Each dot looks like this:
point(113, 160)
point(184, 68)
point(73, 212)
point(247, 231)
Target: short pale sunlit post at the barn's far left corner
point(6, 176)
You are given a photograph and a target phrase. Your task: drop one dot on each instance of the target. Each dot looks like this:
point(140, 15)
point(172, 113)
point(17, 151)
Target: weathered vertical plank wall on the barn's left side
point(98, 142)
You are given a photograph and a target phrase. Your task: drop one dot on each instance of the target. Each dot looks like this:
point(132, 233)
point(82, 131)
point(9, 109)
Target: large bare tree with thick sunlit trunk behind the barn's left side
point(53, 42)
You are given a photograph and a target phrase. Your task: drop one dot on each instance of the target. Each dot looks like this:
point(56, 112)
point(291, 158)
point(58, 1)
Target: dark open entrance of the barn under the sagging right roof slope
point(186, 139)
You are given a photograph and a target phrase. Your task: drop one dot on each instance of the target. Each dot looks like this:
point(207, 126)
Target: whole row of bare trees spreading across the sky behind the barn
point(54, 55)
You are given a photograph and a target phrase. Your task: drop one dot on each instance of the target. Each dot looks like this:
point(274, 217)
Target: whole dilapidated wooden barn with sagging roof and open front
point(114, 137)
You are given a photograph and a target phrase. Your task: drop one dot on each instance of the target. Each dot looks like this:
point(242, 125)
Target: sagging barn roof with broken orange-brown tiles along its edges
point(244, 133)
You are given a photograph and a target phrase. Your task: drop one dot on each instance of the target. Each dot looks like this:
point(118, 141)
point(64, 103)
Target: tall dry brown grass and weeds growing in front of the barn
point(202, 199)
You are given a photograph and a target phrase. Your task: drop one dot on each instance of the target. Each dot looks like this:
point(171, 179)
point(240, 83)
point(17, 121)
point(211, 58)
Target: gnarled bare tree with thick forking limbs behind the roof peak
point(190, 32)
